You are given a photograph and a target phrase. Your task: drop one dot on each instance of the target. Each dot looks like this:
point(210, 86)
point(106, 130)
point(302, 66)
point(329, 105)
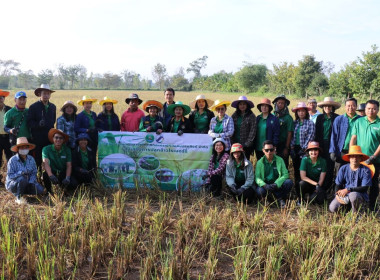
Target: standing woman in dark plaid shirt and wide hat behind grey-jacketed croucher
point(244, 124)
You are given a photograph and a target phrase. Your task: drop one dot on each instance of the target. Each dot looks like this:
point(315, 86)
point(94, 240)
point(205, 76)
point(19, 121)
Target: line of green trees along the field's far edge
point(309, 77)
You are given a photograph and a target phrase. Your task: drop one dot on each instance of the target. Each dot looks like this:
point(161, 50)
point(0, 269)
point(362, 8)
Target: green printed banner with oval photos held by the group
point(168, 161)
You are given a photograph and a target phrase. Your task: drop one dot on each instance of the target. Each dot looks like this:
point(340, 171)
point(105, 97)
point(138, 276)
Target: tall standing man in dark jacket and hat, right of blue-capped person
point(41, 118)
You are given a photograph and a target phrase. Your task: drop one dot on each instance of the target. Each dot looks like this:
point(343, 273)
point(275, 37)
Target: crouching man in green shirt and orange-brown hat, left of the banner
point(57, 162)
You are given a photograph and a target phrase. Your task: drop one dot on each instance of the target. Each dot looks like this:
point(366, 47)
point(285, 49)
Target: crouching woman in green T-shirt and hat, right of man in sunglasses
point(312, 172)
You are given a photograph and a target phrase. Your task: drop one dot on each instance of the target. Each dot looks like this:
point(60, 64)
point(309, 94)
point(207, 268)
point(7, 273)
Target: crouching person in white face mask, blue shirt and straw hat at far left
point(22, 171)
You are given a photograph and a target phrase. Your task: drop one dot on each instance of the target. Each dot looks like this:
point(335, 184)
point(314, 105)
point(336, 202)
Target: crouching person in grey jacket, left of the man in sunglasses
point(239, 174)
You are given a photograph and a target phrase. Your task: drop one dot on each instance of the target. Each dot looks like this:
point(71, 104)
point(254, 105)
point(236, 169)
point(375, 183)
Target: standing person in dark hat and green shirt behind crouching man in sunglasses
point(281, 111)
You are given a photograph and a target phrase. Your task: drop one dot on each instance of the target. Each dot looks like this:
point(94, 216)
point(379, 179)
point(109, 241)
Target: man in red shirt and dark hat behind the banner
point(130, 120)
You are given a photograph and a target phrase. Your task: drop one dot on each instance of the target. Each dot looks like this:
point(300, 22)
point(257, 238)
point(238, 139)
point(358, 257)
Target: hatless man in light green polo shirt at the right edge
point(366, 134)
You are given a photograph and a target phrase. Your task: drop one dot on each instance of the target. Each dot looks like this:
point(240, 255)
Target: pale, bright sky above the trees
point(115, 35)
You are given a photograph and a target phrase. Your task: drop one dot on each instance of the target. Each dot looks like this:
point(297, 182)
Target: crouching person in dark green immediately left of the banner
point(84, 160)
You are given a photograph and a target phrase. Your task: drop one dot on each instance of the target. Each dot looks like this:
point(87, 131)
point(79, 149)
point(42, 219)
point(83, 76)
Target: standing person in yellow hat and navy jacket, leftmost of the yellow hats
point(86, 120)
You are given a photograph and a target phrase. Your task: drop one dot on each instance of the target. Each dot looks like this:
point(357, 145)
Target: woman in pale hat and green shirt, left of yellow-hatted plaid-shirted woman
point(201, 116)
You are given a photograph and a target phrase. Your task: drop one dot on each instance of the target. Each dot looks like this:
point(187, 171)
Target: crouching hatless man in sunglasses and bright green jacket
point(272, 177)
